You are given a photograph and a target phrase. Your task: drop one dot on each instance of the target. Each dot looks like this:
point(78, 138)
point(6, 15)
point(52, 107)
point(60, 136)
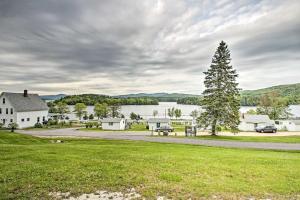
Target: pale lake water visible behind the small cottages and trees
point(146, 111)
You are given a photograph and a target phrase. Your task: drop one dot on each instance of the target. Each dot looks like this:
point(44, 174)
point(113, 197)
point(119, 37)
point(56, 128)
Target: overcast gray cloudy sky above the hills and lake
point(118, 47)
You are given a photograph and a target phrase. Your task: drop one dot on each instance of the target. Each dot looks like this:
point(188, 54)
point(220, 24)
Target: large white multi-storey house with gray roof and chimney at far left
point(22, 108)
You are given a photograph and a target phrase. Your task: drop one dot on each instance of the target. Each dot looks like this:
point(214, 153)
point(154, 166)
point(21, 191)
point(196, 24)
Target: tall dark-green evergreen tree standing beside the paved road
point(221, 96)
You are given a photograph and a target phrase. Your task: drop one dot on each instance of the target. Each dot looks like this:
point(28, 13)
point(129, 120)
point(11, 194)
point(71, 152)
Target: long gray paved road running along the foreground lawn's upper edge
point(145, 136)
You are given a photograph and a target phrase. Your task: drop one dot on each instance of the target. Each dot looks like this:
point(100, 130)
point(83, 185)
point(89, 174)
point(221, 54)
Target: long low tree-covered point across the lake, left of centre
point(93, 99)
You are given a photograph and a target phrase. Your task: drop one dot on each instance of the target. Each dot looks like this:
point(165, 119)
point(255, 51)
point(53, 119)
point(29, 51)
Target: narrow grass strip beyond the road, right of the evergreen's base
point(276, 139)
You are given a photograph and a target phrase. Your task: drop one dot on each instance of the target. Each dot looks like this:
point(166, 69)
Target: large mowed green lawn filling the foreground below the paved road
point(32, 167)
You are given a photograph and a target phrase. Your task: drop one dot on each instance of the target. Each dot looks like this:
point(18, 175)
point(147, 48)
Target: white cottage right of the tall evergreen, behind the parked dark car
point(250, 122)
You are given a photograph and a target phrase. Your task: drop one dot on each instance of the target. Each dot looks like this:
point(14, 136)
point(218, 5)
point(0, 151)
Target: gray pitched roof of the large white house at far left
point(25, 104)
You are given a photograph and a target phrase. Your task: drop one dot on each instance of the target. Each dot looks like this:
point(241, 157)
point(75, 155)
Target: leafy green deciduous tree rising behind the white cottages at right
point(272, 105)
